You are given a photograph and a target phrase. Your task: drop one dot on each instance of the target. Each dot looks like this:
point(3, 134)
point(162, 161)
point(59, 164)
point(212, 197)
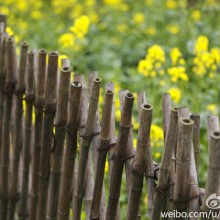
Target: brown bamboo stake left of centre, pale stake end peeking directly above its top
point(57, 151)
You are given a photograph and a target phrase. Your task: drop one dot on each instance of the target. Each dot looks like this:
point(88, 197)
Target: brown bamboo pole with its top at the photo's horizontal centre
point(102, 150)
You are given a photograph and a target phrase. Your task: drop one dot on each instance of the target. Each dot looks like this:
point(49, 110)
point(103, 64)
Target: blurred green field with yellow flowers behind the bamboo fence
point(155, 46)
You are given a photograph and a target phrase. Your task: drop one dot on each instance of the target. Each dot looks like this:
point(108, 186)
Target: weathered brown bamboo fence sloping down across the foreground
point(62, 144)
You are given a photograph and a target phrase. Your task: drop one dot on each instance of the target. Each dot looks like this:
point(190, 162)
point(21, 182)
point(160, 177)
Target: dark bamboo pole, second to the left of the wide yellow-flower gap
point(119, 159)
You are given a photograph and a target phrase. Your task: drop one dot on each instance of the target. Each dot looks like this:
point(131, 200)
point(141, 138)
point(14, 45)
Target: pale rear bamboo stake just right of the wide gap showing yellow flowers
point(166, 106)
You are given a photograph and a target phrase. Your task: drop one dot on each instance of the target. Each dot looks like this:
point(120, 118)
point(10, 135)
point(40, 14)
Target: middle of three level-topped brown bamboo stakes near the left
point(39, 103)
